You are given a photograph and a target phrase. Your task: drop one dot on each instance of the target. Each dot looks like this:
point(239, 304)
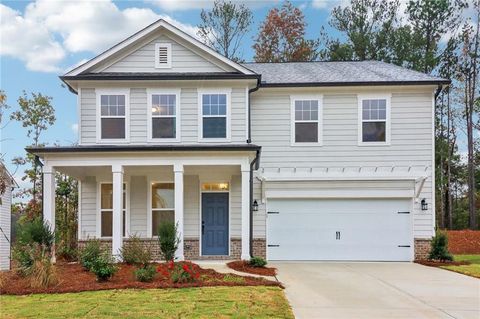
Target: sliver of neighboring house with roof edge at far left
point(6, 218)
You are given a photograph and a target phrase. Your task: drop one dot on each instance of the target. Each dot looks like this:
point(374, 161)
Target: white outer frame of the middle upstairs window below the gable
point(177, 93)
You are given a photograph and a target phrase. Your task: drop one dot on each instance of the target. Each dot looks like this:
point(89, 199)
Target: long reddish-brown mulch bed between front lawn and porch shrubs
point(73, 278)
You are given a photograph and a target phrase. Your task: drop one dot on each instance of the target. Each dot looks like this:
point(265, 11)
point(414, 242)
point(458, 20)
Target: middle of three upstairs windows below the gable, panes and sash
point(164, 114)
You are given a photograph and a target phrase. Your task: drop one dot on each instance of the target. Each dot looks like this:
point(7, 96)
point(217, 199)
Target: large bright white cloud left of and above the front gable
point(49, 30)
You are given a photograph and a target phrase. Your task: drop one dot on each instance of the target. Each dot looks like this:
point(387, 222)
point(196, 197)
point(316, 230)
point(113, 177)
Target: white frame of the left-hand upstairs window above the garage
point(293, 99)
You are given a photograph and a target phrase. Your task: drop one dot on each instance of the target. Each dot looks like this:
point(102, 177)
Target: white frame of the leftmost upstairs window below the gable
point(99, 93)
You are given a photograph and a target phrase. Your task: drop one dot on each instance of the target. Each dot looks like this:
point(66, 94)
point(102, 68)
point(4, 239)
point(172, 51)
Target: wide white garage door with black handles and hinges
point(339, 229)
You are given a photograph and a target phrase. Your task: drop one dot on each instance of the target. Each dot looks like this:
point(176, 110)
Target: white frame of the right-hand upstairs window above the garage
point(387, 97)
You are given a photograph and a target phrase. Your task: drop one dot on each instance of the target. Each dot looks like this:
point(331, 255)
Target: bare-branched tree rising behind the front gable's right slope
point(224, 26)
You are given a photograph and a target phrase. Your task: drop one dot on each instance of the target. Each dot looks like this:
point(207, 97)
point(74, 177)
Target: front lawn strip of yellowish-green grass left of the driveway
point(207, 302)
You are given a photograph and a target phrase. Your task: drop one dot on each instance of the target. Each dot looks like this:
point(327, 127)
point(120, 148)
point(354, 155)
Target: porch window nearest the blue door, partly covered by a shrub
point(163, 204)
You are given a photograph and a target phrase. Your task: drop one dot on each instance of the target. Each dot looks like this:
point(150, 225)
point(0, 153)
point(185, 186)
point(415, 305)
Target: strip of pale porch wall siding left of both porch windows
point(88, 219)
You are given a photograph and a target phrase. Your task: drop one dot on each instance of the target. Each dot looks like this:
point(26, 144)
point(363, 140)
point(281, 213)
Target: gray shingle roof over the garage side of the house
point(339, 73)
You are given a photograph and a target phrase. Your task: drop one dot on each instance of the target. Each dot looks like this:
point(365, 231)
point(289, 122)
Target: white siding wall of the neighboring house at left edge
point(5, 224)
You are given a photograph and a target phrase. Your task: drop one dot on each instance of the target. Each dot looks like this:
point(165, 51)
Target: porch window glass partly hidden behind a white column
point(106, 209)
